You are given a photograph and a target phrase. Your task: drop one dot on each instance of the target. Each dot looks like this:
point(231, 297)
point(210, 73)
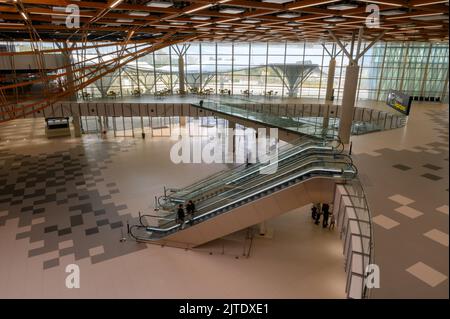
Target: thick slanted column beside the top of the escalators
point(348, 102)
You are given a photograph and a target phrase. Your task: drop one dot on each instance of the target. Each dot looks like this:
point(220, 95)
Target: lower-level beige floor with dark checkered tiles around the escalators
point(67, 200)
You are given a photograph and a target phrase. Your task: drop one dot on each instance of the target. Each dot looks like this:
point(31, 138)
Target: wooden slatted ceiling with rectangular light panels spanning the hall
point(232, 20)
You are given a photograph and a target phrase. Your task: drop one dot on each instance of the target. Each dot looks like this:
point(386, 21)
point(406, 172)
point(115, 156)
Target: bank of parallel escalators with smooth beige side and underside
point(239, 198)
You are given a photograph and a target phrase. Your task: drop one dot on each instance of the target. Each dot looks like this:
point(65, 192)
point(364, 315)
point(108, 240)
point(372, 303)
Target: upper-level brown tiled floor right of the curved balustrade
point(407, 187)
